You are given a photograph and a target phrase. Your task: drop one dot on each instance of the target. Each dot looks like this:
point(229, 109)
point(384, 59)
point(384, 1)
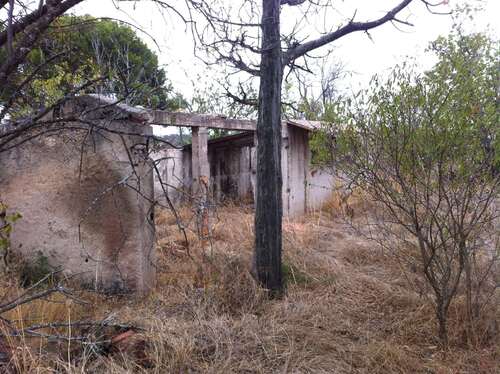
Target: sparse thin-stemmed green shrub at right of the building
point(426, 148)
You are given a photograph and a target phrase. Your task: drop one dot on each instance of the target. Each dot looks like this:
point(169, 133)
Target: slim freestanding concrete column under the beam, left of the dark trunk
point(201, 168)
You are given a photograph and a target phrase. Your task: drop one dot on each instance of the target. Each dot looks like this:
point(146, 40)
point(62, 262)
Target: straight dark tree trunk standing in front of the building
point(269, 206)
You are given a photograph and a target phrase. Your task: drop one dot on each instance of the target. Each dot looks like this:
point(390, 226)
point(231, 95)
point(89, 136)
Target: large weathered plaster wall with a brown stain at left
point(78, 209)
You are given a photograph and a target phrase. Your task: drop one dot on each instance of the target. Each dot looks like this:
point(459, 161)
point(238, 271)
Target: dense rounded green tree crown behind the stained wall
point(76, 50)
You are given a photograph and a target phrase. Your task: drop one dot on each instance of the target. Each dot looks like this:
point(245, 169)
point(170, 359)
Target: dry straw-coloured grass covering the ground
point(348, 309)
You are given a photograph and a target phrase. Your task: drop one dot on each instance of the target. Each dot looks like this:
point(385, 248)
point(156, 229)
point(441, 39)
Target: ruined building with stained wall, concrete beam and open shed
point(87, 194)
